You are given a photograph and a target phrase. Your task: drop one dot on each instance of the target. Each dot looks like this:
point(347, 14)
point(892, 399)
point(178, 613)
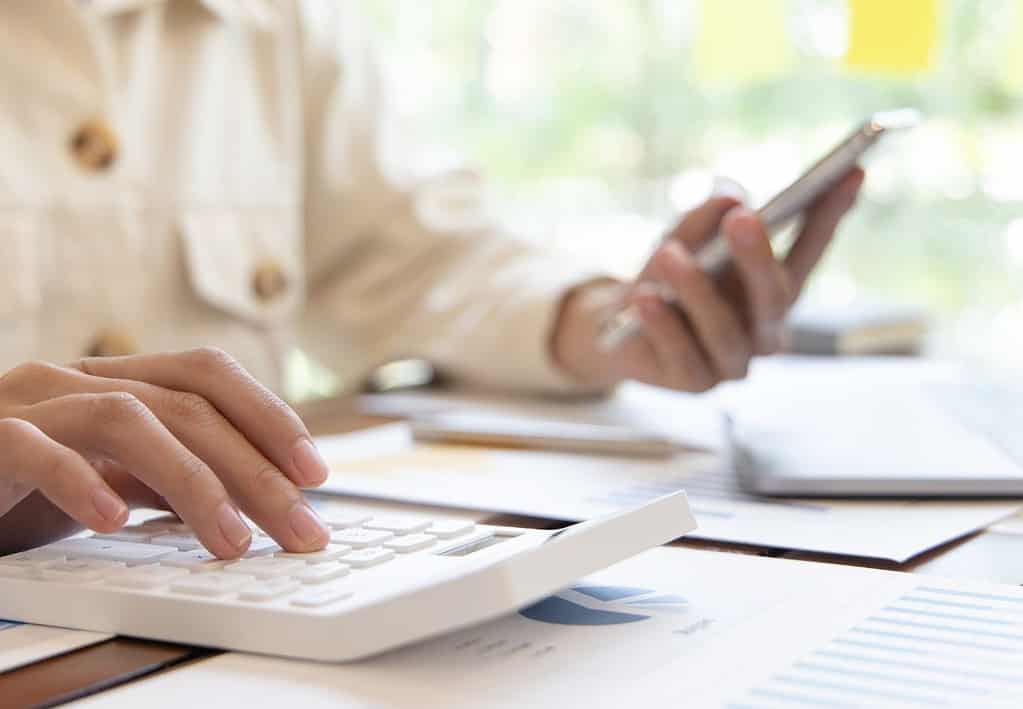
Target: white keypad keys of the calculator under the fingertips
point(164, 557)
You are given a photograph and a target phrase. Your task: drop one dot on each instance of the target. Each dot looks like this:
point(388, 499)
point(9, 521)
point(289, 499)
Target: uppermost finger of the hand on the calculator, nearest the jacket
point(261, 416)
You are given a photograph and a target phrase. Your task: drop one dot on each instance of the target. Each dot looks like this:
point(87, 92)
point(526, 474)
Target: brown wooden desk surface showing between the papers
point(995, 555)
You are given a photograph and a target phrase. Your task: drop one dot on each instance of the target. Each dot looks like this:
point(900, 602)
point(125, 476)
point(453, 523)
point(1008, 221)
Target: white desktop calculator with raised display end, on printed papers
point(383, 582)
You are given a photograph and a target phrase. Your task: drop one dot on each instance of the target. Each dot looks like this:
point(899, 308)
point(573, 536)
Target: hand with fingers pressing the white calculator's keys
point(193, 432)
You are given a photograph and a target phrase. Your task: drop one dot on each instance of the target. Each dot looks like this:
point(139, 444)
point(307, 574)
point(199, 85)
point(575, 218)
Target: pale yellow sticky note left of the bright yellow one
point(741, 40)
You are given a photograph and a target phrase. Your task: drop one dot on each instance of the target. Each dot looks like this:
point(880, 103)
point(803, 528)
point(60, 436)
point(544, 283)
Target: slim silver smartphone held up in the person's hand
point(787, 205)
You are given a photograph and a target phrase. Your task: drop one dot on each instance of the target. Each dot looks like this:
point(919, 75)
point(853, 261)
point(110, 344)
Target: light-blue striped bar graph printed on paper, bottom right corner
point(932, 646)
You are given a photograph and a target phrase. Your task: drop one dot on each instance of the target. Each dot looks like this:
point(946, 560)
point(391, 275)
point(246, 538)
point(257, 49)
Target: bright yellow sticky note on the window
point(893, 36)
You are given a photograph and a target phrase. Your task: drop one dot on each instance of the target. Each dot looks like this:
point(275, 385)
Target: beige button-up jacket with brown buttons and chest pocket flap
point(176, 173)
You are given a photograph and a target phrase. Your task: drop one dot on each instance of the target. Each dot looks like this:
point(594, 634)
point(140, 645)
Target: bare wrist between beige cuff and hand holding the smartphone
point(583, 314)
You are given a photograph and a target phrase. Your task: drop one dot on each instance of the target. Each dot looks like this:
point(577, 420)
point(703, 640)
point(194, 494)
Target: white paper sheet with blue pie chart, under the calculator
point(672, 628)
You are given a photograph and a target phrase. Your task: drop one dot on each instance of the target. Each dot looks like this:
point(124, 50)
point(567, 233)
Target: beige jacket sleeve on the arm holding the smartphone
point(409, 265)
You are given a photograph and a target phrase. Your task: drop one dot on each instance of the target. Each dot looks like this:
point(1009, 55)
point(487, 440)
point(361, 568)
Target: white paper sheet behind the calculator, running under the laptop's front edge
point(385, 463)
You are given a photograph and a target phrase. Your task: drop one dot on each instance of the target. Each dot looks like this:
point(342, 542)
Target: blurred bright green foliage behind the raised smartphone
point(597, 128)
